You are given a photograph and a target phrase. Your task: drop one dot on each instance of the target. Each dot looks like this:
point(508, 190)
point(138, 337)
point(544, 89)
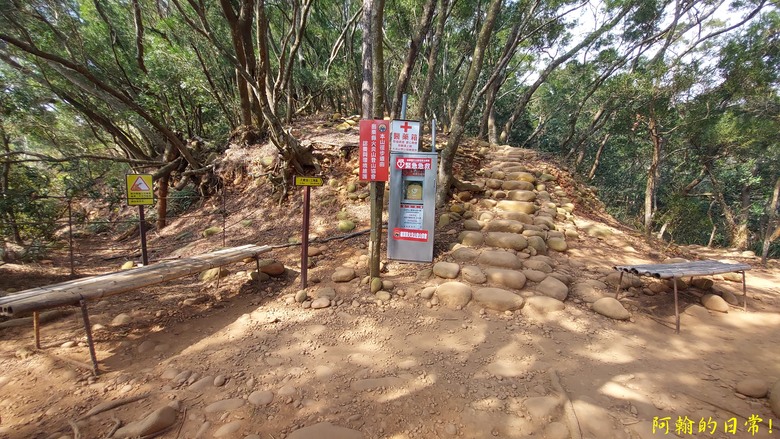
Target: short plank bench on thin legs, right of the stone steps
point(683, 269)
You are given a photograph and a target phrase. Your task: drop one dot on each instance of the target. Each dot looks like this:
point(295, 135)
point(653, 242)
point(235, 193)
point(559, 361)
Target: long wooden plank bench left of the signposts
point(78, 291)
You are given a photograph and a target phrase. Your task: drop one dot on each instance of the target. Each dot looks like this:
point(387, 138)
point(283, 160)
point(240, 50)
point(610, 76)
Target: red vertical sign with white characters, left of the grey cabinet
point(374, 150)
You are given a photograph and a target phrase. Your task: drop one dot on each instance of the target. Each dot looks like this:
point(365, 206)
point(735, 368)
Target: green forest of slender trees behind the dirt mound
point(669, 108)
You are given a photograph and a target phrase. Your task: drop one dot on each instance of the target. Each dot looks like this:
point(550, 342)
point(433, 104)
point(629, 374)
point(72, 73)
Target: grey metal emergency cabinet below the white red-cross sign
point(412, 206)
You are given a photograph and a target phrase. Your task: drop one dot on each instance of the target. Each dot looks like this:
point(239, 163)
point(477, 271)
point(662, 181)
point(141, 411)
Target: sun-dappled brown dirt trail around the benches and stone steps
point(248, 362)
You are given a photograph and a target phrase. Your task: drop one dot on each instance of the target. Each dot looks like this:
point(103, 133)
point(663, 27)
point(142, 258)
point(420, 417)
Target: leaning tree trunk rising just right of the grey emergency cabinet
point(458, 118)
